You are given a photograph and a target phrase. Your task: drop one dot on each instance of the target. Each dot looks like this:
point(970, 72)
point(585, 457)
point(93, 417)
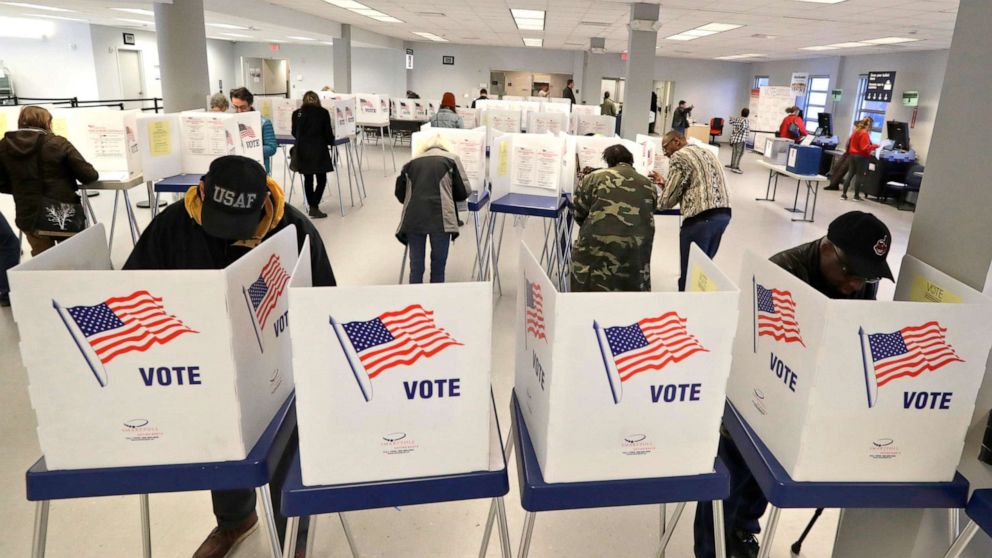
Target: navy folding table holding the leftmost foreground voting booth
point(255, 471)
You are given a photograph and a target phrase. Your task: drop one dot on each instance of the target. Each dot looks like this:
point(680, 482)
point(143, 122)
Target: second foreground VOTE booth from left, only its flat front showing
point(392, 381)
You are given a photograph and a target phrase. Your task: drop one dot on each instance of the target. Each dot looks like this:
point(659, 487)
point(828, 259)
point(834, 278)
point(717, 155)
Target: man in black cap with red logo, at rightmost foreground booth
point(848, 263)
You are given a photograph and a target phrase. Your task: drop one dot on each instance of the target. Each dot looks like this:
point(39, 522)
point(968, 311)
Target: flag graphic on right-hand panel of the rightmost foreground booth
point(911, 351)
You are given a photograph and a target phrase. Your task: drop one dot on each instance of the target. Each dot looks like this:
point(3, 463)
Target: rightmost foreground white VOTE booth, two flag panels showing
point(854, 390)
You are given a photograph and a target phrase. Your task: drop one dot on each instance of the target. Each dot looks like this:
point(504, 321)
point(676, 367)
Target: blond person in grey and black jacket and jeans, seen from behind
point(429, 186)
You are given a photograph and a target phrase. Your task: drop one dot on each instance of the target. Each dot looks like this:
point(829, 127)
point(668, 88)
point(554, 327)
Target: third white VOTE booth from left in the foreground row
point(624, 385)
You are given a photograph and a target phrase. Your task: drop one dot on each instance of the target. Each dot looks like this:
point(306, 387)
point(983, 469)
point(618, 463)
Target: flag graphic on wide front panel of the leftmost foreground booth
point(121, 325)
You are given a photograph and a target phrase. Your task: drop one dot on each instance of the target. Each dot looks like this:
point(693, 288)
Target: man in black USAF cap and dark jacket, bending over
point(235, 208)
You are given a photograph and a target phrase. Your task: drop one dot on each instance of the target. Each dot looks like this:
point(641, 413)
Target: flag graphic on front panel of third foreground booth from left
point(651, 344)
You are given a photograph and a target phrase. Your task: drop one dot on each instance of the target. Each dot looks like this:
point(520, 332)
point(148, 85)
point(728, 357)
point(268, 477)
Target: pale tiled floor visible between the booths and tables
point(363, 250)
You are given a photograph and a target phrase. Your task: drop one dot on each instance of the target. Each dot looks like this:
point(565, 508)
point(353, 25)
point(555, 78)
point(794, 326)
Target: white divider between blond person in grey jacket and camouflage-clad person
point(527, 164)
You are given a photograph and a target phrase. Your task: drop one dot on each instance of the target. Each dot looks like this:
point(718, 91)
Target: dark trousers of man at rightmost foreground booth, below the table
point(741, 510)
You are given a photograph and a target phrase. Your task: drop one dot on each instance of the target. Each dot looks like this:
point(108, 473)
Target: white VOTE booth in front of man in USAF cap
point(131, 368)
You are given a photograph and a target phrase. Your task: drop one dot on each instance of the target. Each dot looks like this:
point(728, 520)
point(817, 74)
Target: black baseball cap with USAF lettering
point(234, 192)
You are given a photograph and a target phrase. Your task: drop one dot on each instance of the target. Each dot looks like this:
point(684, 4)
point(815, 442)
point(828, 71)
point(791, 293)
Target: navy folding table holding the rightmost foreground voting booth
point(783, 492)
